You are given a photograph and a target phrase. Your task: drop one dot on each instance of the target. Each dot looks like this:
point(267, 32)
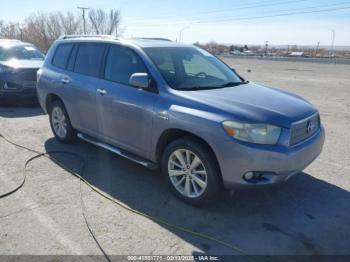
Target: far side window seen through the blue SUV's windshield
point(198, 64)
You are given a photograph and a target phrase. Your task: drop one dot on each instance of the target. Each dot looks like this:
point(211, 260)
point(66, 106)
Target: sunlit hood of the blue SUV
point(255, 103)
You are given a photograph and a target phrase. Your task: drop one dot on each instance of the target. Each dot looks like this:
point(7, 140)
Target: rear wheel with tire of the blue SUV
point(60, 123)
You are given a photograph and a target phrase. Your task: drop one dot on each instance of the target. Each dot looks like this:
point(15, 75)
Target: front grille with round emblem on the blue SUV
point(304, 129)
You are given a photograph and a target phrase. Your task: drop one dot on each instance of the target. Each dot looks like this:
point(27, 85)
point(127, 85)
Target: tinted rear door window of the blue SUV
point(89, 59)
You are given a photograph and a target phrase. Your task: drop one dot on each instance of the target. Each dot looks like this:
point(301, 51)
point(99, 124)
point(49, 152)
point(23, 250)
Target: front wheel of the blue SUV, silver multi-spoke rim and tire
point(191, 171)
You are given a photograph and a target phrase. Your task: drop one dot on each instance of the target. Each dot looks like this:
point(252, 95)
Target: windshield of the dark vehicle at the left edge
point(23, 52)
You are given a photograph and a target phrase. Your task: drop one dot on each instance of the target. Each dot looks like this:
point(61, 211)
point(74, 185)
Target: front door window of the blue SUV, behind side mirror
point(121, 64)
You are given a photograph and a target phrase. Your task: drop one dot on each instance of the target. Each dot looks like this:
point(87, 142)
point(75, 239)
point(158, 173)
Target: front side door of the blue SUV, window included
point(125, 112)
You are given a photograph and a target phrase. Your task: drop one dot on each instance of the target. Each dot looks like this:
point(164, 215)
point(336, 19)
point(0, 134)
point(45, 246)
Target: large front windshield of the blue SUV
point(191, 68)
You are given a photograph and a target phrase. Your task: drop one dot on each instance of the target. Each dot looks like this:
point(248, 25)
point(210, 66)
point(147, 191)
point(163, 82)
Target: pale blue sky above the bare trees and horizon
point(281, 22)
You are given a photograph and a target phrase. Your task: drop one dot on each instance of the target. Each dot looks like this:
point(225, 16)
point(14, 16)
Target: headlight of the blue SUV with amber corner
point(253, 133)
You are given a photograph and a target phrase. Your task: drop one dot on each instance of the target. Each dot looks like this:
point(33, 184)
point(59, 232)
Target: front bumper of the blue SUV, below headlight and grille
point(280, 162)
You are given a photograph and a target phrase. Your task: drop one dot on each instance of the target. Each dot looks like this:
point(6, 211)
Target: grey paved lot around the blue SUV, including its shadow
point(308, 215)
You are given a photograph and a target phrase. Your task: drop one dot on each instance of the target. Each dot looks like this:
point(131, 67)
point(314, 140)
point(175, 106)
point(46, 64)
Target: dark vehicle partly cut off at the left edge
point(19, 63)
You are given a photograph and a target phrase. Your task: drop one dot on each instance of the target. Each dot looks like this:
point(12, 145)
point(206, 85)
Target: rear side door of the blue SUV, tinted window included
point(82, 75)
